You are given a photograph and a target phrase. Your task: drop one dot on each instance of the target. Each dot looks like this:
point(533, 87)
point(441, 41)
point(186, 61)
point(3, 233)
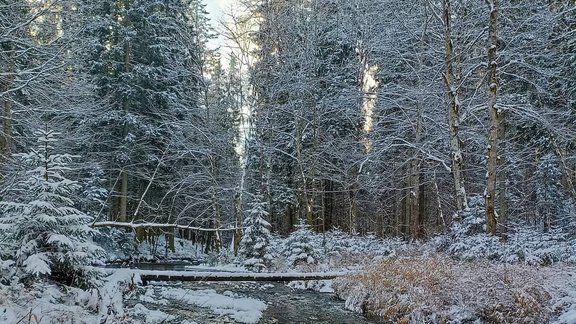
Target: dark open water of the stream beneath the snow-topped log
point(283, 304)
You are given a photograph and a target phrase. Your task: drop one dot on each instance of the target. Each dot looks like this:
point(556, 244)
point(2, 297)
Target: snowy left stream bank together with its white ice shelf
point(46, 304)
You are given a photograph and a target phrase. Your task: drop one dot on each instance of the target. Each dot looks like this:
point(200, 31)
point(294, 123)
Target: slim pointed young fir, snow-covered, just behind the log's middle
point(254, 246)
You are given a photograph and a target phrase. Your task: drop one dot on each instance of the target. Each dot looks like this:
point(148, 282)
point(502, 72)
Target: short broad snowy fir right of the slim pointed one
point(299, 247)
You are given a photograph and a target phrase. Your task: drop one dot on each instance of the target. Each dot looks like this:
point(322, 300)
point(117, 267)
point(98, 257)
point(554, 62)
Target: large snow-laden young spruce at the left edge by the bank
point(47, 236)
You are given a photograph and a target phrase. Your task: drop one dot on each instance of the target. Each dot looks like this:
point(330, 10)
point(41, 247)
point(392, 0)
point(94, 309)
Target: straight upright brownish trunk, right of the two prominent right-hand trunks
point(495, 119)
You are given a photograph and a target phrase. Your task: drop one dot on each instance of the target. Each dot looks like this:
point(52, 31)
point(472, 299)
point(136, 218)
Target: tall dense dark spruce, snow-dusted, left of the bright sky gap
point(146, 64)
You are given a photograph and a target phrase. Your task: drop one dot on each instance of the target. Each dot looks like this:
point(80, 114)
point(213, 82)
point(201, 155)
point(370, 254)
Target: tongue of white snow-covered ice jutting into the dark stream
point(241, 309)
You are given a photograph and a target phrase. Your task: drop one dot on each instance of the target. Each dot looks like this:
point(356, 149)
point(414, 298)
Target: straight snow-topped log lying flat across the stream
point(146, 276)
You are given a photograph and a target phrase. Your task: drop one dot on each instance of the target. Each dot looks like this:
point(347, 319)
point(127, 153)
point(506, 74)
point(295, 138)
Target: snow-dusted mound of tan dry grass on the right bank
point(437, 289)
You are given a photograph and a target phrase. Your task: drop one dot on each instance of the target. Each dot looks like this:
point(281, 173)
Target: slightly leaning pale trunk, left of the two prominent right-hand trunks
point(453, 111)
